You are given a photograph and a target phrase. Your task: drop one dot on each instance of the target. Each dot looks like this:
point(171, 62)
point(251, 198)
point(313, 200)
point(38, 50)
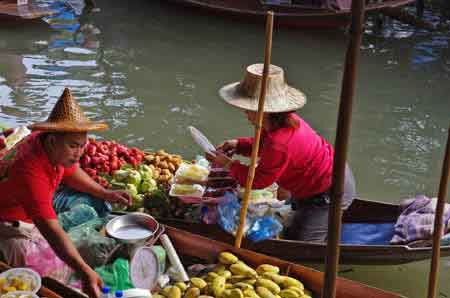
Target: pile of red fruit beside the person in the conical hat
point(104, 158)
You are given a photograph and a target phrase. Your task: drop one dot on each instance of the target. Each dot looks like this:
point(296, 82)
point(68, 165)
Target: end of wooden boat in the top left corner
point(10, 12)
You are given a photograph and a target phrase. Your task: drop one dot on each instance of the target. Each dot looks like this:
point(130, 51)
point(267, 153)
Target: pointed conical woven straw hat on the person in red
point(67, 116)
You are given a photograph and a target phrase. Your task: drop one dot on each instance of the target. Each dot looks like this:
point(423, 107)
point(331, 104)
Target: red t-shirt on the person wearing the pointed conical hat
point(27, 190)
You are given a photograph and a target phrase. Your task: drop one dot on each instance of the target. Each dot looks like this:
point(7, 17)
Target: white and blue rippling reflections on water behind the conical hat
point(69, 56)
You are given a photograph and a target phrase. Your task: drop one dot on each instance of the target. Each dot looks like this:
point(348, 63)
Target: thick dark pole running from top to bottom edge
point(341, 142)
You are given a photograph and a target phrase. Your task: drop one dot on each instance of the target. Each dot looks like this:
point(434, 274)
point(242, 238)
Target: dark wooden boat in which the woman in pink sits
point(361, 211)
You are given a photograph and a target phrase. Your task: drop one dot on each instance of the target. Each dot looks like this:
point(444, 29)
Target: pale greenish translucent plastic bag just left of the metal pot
point(93, 246)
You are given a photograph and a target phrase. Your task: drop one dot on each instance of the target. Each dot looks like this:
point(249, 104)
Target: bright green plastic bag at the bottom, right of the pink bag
point(116, 275)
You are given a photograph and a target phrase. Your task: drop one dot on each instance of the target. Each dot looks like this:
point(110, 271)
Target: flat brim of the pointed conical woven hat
point(68, 126)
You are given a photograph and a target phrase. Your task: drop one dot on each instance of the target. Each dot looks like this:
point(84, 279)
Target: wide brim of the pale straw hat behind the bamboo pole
point(294, 100)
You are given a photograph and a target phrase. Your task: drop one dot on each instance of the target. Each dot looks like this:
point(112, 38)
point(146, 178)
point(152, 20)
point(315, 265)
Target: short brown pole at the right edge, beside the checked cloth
point(432, 281)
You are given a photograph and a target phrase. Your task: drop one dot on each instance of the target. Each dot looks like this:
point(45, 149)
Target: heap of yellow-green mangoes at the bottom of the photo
point(232, 278)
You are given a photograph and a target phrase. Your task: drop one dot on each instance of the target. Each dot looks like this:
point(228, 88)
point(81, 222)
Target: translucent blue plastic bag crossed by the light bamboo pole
point(257, 227)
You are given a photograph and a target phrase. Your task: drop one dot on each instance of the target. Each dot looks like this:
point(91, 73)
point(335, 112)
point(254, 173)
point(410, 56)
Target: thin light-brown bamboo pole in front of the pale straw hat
point(258, 128)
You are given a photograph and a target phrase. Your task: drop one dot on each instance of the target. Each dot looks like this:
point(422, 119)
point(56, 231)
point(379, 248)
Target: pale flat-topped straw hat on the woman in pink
point(280, 97)
